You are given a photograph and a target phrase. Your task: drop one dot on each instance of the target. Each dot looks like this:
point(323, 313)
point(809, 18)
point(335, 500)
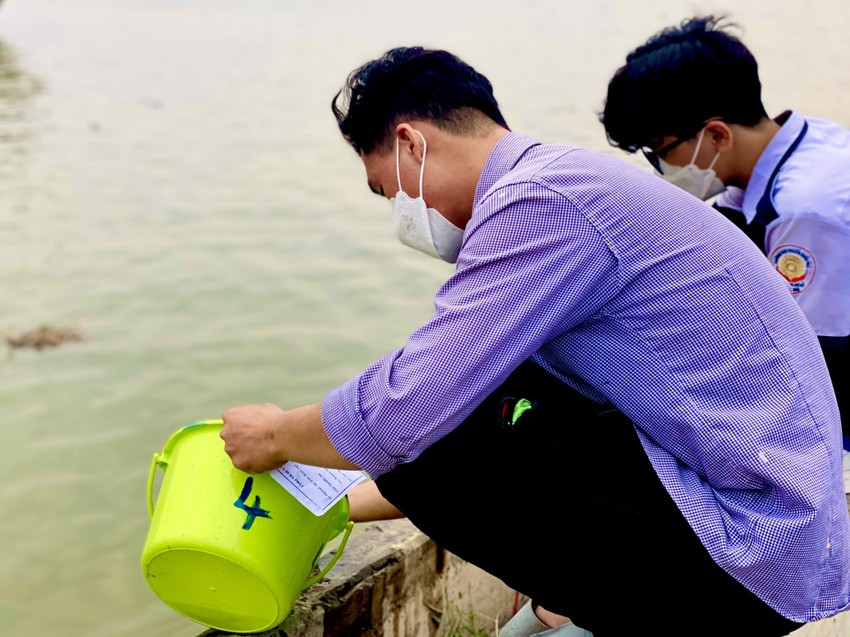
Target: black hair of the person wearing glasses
point(681, 77)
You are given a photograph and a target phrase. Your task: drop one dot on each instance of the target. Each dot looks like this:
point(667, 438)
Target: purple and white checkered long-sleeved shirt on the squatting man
point(632, 291)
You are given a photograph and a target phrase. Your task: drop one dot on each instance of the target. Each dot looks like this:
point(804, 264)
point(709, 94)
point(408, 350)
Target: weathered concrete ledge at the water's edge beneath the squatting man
point(393, 581)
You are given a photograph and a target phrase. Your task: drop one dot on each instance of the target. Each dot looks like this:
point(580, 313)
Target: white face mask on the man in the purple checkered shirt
point(421, 227)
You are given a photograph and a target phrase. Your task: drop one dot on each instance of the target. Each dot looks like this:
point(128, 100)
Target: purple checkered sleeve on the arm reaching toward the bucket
point(532, 267)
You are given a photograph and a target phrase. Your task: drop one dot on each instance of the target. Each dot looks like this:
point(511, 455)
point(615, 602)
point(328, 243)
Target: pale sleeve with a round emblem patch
point(812, 253)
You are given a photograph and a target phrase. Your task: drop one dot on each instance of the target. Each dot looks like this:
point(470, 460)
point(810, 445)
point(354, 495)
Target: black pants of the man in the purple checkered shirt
point(564, 506)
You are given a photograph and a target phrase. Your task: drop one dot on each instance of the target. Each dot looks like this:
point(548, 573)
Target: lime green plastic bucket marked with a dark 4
point(225, 548)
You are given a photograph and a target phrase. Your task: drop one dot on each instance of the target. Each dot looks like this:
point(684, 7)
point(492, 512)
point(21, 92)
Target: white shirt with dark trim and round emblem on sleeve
point(800, 187)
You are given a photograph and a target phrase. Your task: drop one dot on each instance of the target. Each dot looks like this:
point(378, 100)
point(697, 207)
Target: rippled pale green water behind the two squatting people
point(172, 185)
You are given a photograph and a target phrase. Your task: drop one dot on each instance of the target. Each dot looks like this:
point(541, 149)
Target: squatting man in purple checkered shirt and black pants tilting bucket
point(608, 346)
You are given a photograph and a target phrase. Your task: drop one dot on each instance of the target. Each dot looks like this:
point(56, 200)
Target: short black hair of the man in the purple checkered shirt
point(411, 82)
